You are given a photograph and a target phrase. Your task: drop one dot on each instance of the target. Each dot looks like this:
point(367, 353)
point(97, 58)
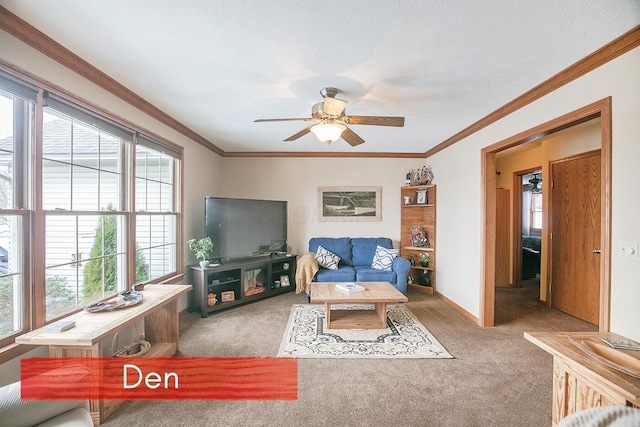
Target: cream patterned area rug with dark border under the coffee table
point(405, 337)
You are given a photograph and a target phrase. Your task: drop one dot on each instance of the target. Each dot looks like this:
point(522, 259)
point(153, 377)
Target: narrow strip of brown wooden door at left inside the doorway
point(503, 250)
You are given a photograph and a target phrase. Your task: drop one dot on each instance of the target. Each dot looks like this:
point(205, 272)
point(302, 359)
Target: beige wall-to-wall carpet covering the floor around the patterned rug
point(497, 378)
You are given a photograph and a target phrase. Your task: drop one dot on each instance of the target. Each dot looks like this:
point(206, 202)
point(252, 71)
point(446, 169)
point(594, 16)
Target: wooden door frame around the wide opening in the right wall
point(601, 109)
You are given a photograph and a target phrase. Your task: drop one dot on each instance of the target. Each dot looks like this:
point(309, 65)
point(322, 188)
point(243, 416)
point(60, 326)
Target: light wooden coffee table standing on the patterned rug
point(377, 293)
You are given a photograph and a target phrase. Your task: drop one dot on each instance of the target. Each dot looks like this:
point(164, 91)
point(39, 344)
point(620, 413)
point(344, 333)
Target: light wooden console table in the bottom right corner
point(580, 381)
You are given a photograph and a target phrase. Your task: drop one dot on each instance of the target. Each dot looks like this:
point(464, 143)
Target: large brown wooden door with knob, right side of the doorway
point(575, 236)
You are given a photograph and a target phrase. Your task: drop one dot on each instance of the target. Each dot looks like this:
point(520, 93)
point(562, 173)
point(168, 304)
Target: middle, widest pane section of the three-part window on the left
point(82, 188)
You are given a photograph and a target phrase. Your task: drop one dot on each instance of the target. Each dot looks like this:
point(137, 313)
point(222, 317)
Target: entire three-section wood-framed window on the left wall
point(86, 210)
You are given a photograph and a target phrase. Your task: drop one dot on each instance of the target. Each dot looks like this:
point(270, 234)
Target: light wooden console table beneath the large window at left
point(159, 309)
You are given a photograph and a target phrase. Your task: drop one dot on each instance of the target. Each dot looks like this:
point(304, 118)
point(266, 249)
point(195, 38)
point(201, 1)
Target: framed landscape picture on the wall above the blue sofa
point(349, 204)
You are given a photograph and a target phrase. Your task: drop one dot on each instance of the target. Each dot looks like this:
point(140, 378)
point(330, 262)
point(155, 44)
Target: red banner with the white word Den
point(160, 378)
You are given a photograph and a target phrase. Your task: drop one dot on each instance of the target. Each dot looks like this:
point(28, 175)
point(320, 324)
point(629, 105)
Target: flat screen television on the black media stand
point(241, 228)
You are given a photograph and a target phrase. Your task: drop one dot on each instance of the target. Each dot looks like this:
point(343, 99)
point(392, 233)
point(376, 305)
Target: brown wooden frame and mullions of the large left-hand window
point(33, 215)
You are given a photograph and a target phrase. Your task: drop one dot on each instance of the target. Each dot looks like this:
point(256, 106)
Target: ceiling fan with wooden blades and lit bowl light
point(331, 121)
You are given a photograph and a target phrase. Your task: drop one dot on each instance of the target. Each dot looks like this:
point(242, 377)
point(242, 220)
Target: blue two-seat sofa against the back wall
point(356, 257)
